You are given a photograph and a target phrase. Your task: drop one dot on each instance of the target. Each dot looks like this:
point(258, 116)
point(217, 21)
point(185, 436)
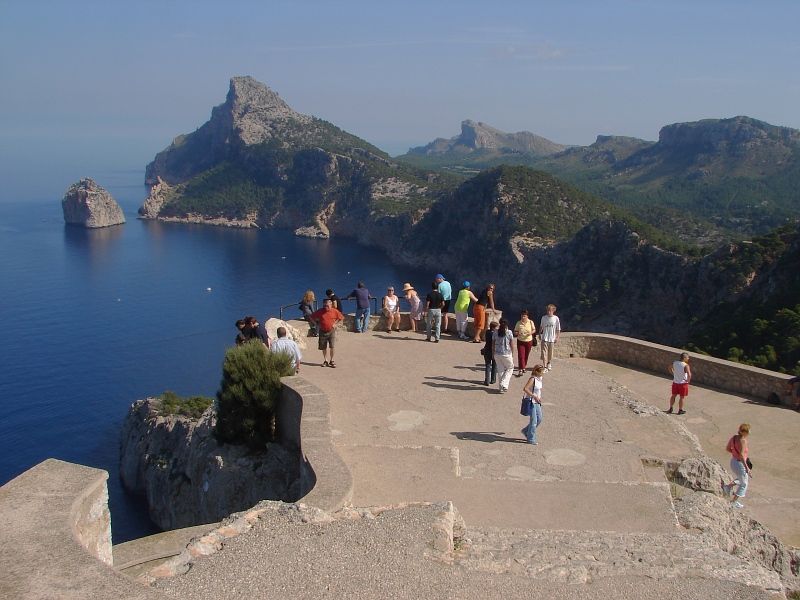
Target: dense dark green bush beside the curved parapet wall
point(251, 384)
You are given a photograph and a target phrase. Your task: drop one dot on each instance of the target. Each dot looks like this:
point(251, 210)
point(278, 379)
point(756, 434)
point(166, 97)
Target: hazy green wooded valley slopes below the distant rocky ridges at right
point(703, 195)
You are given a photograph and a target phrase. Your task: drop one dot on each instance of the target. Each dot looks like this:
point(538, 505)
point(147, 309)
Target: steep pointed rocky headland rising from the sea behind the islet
point(257, 162)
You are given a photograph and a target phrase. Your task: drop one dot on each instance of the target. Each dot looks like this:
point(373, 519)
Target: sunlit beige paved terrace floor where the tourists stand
point(413, 423)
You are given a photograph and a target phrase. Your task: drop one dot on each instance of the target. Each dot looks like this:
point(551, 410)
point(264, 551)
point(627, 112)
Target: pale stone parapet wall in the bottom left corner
point(56, 537)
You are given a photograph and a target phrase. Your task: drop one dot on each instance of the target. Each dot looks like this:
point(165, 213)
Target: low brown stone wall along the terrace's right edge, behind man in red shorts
point(706, 370)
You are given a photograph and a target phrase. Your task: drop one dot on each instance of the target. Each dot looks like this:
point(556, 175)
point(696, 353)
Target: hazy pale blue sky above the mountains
point(91, 84)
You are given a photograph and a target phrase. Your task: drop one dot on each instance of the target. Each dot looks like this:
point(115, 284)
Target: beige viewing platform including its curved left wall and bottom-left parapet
point(408, 426)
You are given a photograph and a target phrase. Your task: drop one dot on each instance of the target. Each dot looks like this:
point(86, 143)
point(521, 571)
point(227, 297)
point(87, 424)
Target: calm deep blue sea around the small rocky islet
point(91, 321)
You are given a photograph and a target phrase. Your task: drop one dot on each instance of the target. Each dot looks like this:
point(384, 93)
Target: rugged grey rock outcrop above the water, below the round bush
point(189, 478)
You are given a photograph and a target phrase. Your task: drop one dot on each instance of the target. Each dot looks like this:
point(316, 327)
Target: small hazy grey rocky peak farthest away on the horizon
point(479, 136)
